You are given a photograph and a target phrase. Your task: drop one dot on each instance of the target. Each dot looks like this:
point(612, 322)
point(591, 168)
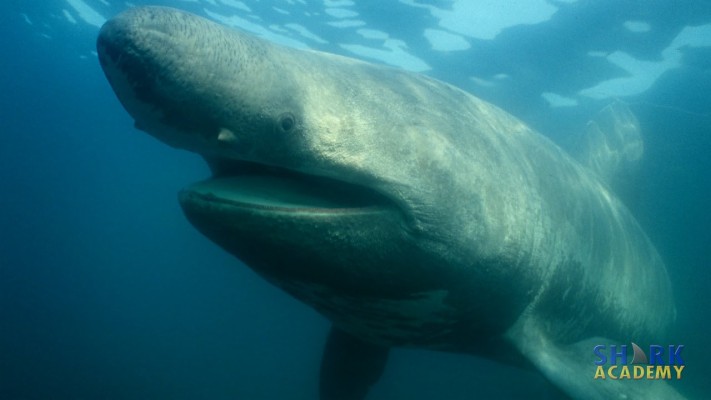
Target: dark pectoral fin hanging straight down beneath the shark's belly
point(350, 366)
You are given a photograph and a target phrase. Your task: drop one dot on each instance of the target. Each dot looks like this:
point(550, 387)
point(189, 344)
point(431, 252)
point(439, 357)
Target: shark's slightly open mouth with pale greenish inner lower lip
point(250, 185)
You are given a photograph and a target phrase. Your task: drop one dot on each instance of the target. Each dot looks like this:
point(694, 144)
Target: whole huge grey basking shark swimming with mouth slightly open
point(406, 211)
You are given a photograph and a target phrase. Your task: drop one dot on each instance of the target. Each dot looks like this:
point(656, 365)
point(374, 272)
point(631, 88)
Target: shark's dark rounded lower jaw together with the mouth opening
point(290, 227)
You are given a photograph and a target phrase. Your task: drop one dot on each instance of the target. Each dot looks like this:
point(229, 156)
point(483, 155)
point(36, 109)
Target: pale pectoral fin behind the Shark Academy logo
point(572, 368)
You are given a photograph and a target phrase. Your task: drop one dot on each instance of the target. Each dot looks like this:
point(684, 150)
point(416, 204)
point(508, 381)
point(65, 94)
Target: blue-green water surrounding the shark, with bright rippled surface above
point(107, 292)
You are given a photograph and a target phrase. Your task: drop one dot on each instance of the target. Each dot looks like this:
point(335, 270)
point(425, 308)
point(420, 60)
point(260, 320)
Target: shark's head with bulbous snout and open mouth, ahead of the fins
point(335, 179)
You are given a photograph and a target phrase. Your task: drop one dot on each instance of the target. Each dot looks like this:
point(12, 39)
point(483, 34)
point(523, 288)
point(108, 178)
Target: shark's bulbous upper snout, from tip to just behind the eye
point(201, 87)
